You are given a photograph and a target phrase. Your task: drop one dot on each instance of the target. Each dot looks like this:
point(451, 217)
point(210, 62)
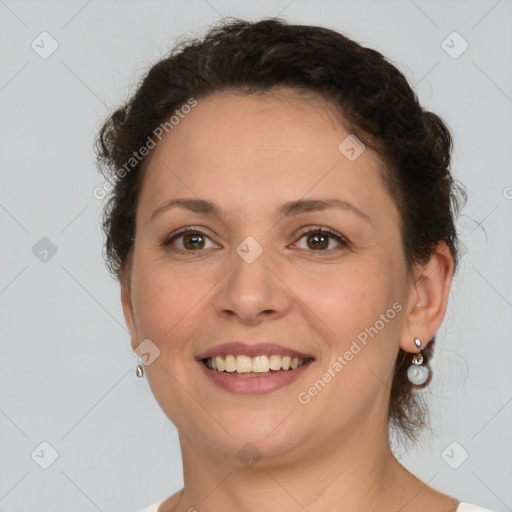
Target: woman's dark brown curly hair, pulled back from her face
point(374, 100)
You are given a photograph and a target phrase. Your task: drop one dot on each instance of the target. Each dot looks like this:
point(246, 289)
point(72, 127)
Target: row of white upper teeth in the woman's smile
point(259, 364)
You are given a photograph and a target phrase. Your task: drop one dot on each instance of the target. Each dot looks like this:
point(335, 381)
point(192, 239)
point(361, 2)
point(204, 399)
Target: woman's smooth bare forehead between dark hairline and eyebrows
point(254, 149)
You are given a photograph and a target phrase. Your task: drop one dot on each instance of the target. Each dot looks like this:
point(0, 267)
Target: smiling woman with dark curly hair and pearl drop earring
point(282, 227)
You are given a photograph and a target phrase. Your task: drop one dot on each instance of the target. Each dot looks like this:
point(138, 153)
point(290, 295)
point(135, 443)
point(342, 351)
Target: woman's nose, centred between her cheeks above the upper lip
point(252, 291)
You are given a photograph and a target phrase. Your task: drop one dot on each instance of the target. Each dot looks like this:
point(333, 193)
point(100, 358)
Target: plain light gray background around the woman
point(67, 370)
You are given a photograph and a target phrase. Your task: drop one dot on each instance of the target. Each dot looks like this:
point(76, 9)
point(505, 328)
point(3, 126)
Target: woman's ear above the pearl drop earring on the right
point(428, 299)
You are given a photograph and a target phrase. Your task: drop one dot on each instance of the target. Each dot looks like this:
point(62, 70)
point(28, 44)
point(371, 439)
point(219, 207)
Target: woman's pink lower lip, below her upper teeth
point(254, 385)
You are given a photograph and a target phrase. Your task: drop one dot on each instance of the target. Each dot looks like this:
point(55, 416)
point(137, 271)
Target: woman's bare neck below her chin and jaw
point(356, 473)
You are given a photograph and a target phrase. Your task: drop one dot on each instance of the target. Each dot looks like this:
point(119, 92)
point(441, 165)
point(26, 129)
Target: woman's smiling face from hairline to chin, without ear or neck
point(253, 274)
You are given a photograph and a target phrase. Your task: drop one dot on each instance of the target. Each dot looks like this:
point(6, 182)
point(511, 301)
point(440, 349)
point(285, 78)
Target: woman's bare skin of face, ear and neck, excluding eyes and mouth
point(250, 155)
